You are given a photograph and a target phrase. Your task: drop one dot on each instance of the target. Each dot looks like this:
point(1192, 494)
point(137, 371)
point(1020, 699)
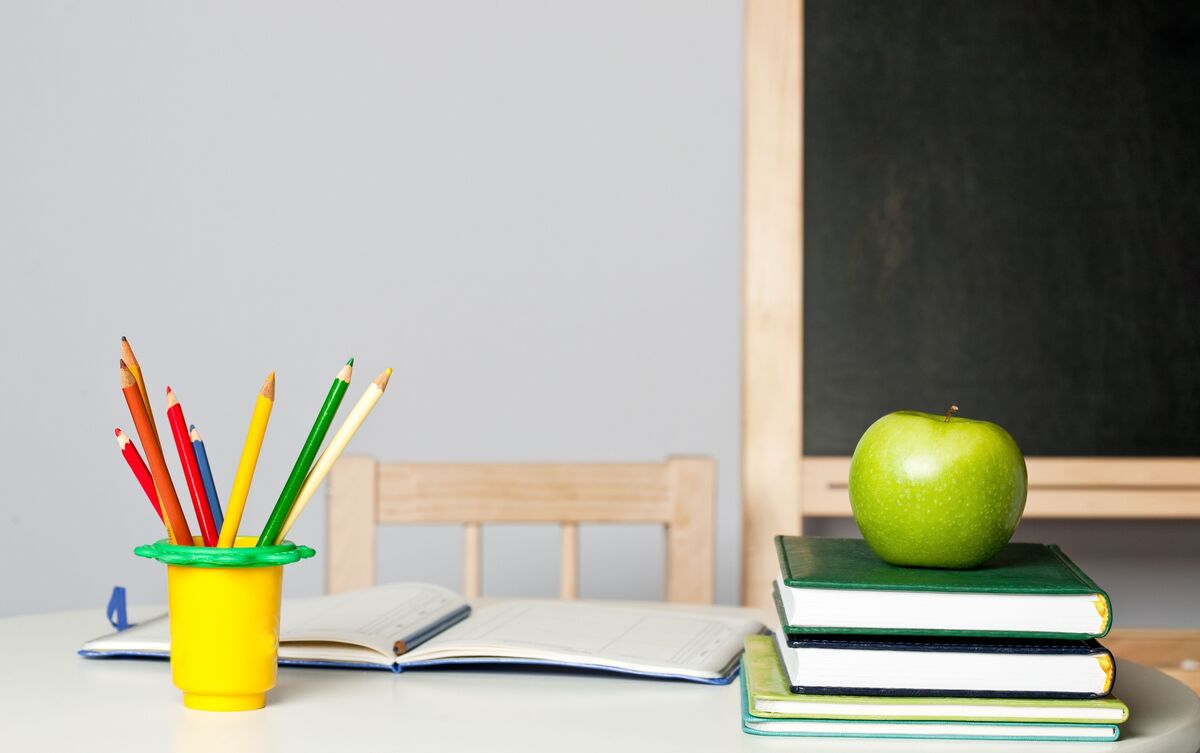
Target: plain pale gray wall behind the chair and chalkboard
point(530, 210)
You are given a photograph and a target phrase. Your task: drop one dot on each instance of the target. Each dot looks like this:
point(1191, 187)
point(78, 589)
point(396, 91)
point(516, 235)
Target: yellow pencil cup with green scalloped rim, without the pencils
point(225, 619)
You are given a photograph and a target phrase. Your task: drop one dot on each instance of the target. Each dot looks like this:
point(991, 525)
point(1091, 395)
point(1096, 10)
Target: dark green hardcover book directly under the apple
point(839, 586)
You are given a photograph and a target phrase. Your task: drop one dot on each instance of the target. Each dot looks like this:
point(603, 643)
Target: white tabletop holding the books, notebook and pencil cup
point(51, 700)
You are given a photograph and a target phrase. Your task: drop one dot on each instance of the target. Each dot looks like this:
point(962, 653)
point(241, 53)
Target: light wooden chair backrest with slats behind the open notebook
point(680, 495)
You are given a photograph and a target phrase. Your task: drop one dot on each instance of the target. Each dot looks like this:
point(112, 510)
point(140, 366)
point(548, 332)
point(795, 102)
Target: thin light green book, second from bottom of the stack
point(770, 697)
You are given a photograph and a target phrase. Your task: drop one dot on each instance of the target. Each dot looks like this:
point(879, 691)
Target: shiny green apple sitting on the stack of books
point(937, 491)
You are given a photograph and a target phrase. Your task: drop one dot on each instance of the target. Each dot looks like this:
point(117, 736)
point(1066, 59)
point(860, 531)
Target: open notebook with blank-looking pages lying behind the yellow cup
point(411, 625)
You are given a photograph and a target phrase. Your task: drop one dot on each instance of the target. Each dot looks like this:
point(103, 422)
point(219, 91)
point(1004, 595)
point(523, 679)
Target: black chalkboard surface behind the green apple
point(1003, 210)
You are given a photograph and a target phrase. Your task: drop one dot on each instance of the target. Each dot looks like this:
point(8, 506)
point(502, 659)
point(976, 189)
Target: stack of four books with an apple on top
point(865, 649)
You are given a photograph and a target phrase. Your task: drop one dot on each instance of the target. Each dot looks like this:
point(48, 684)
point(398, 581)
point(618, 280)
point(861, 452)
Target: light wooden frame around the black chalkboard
point(781, 485)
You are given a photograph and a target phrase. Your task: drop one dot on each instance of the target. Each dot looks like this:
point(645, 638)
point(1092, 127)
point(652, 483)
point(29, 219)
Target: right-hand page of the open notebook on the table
point(645, 640)
